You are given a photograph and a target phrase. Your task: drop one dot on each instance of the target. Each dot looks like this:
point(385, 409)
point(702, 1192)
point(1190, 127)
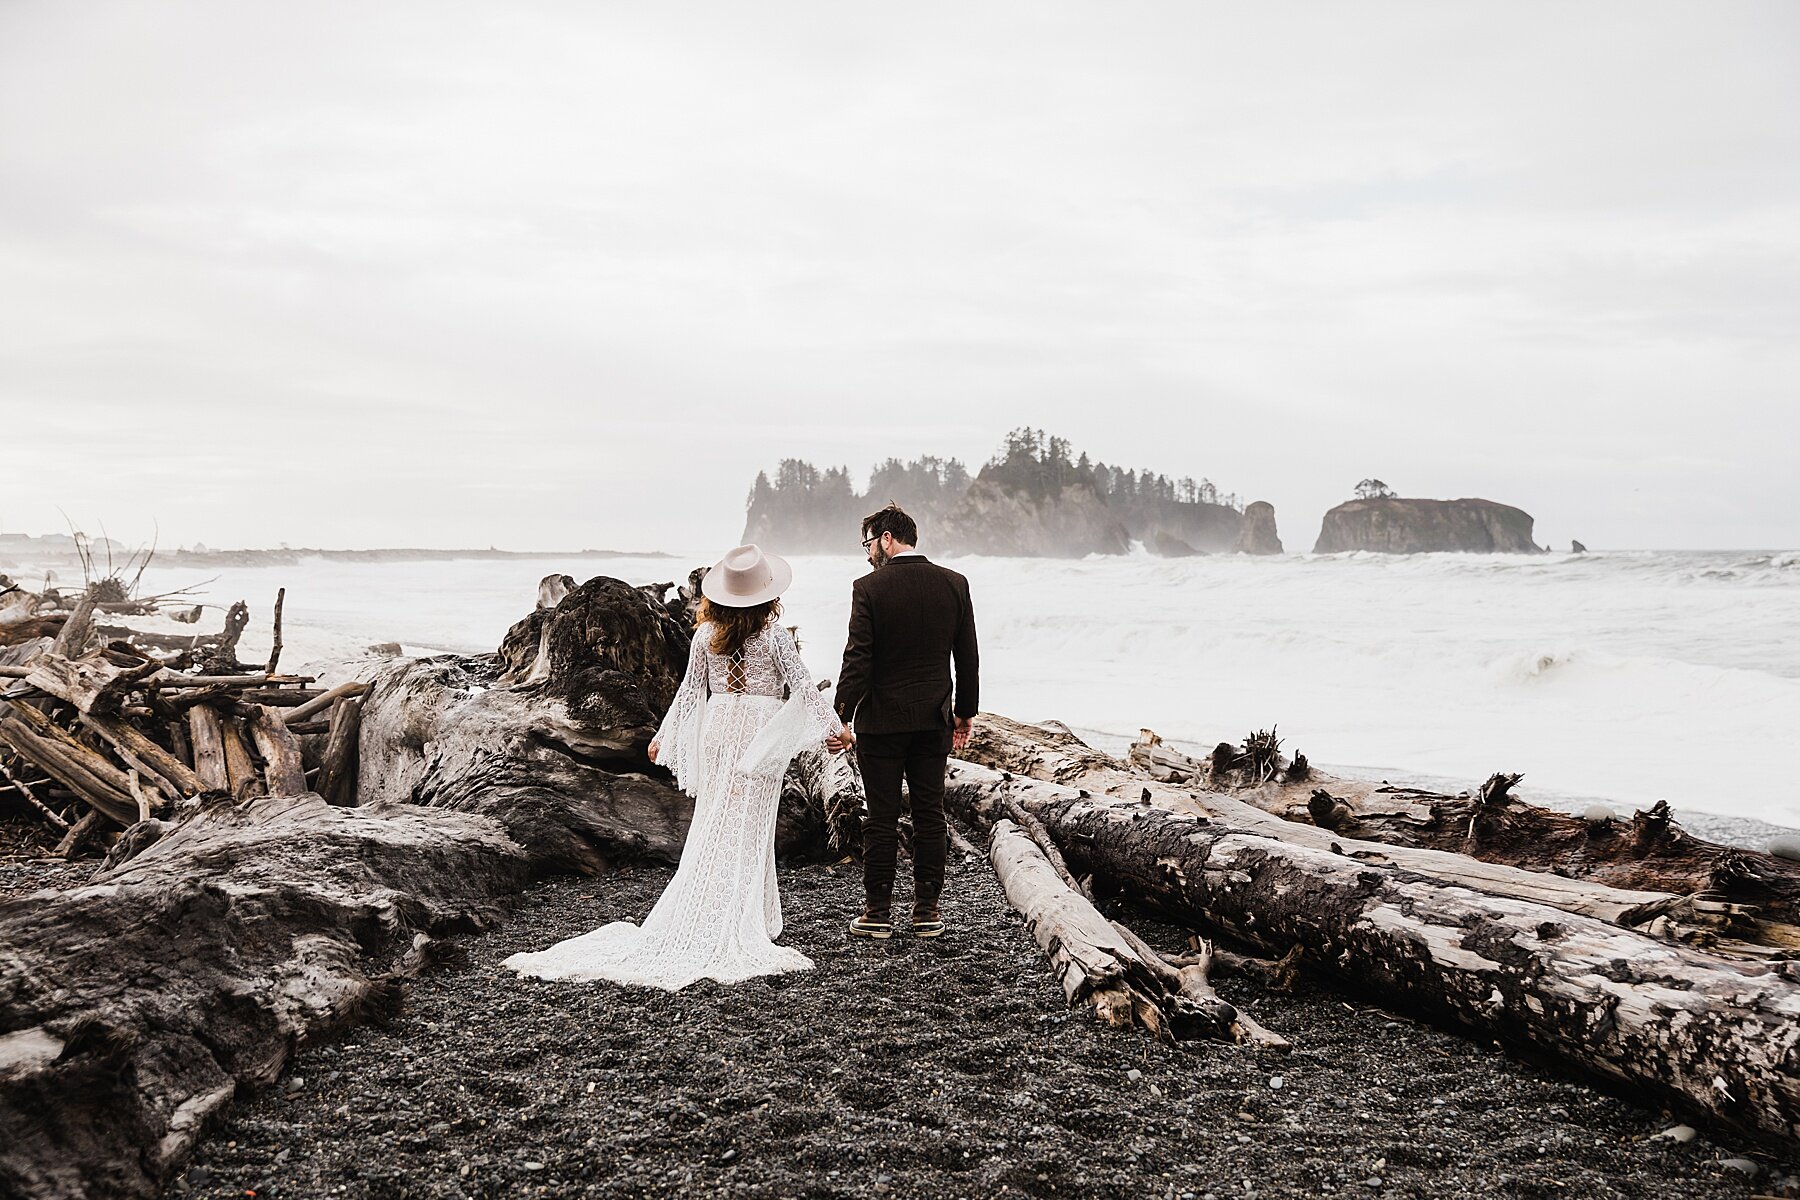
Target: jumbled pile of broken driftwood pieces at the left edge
point(103, 726)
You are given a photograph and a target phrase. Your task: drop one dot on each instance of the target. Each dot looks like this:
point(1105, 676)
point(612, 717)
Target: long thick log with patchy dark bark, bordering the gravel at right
point(1714, 1035)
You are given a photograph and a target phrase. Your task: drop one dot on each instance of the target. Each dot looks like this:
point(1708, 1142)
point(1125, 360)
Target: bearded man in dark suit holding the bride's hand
point(908, 620)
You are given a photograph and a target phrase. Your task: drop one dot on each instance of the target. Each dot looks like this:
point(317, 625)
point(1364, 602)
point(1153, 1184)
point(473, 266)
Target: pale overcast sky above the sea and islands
point(557, 276)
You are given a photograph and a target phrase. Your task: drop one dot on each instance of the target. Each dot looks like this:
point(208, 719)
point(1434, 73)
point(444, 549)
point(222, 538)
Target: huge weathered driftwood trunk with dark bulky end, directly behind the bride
point(562, 760)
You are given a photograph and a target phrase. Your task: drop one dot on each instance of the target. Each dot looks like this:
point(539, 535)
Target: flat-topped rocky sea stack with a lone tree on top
point(1401, 526)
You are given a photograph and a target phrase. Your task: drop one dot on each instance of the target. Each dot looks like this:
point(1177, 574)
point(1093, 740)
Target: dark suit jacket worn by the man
point(908, 622)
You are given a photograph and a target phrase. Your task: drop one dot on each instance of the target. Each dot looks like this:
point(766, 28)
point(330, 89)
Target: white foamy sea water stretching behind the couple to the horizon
point(1628, 677)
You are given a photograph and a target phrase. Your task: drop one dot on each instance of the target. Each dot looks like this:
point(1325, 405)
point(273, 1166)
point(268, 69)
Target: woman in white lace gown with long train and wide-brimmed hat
point(728, 739)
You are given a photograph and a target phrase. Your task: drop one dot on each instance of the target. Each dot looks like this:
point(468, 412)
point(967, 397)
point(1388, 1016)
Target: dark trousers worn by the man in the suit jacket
point(919, 758)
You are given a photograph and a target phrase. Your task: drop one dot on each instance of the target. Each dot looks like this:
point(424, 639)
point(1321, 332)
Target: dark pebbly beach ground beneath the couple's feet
point(906, 1070)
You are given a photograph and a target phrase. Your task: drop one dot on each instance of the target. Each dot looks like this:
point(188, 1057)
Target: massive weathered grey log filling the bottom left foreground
point(206, 953)
